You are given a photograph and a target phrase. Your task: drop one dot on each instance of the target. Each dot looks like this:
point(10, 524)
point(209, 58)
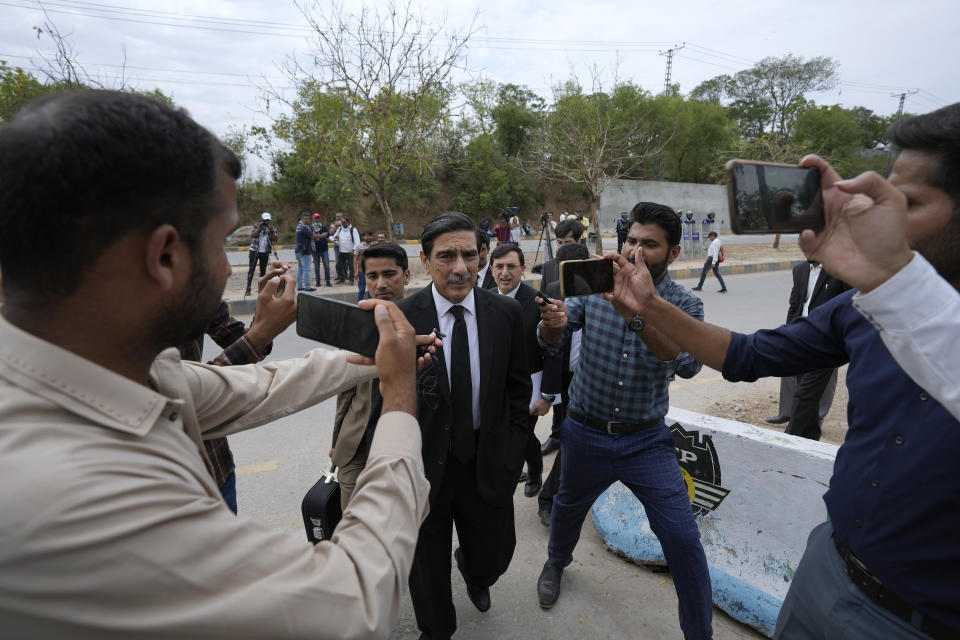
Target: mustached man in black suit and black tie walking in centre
point(473, 404)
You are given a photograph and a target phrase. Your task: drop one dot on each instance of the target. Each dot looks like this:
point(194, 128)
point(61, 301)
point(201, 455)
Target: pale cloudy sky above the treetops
point(212, 54)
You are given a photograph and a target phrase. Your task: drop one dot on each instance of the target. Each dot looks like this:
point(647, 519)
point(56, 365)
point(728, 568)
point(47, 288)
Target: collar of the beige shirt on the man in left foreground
point(76, 384)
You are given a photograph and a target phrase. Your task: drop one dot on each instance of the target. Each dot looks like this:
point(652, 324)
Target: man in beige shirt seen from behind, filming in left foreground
point(113, 526)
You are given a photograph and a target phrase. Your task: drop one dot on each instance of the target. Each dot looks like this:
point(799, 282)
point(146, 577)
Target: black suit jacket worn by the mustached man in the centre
point(504, 394)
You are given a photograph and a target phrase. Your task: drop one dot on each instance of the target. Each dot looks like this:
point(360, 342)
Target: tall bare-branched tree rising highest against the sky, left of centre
point(372, 93)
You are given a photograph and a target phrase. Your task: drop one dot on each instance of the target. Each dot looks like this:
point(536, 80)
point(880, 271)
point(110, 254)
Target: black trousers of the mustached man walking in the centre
point(487, 540)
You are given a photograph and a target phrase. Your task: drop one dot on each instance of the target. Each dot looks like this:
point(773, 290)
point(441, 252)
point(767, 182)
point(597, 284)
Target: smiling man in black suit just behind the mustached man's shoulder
point(508, 268)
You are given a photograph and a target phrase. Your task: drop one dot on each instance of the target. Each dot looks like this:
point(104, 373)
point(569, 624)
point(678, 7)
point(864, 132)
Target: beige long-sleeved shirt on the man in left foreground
point(111, 525)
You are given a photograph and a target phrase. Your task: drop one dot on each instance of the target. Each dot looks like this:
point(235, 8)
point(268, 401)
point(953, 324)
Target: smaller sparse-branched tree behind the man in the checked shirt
point(592, 139)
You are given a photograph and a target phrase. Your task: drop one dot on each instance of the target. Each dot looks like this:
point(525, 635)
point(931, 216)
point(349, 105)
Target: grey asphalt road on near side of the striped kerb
point(603, 596)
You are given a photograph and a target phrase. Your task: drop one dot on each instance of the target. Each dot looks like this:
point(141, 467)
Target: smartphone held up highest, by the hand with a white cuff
point(766, 197)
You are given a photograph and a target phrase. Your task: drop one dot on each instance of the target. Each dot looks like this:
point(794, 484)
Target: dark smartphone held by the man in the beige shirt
point(338, 324)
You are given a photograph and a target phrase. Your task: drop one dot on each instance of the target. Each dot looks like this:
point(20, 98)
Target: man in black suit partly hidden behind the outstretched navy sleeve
point(812, 392)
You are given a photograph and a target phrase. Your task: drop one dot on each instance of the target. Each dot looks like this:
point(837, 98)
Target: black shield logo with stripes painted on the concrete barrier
point(700, 468)
